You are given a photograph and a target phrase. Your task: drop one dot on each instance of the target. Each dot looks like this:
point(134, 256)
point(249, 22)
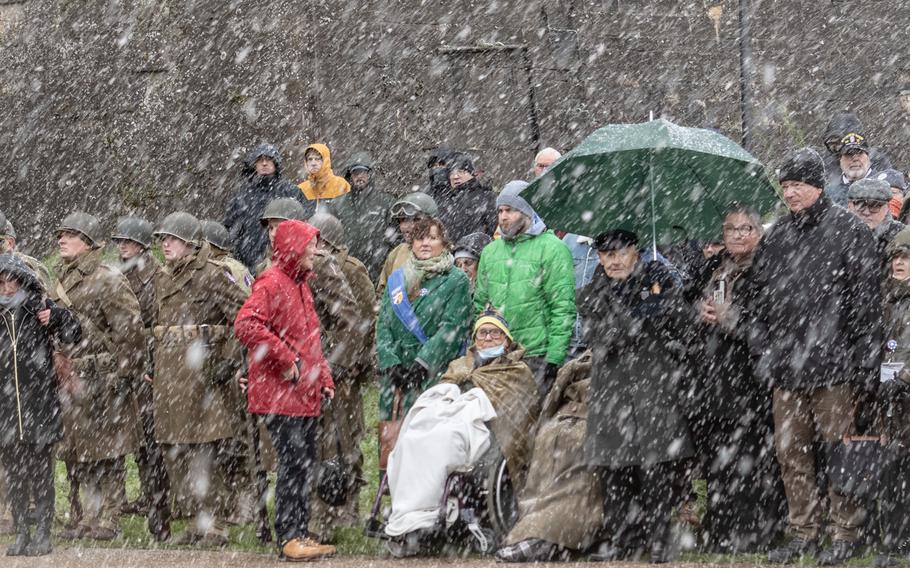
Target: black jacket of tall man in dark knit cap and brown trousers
point(813, 301)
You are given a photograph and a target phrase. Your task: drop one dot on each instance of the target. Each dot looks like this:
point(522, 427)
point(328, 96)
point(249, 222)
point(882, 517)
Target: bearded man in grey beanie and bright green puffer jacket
point(528, 277)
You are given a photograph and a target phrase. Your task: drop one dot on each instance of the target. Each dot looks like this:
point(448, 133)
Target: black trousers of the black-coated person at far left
point(30, 478)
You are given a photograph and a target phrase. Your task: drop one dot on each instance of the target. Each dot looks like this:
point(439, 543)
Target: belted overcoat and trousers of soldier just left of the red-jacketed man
point(195, 398)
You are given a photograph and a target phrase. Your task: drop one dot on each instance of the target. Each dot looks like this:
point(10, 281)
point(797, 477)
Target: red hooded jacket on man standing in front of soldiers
point(279, 327)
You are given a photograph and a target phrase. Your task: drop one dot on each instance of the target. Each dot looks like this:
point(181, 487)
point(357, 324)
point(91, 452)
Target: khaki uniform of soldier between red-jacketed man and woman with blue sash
point(346, 303)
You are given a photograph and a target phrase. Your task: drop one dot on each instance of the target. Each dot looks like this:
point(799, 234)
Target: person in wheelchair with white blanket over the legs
point(486, 404)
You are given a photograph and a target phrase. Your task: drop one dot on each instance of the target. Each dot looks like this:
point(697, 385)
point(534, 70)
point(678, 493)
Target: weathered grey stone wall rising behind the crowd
point(145, 106)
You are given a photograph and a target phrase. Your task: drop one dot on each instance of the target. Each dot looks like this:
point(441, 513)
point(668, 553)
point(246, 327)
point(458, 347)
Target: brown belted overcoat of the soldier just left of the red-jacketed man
point(195, 351)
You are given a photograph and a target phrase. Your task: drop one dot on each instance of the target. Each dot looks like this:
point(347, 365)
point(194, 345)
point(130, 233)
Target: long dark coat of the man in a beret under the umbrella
point(635, 413)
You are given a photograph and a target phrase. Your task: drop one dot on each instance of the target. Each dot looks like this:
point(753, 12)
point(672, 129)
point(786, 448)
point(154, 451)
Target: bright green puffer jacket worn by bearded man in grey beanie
point(531, 281)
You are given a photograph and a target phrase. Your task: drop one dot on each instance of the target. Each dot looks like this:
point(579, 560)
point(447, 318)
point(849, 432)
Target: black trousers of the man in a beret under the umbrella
point(639, 502)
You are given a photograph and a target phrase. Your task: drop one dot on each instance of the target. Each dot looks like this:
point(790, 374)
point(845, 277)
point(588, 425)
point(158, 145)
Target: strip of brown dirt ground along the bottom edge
point(117, 558)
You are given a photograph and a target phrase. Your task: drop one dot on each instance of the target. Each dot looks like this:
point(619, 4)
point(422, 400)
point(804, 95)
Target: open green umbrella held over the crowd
point(657, 179)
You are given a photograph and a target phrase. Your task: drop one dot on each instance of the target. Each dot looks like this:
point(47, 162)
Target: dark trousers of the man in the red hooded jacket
point(294, 439)
